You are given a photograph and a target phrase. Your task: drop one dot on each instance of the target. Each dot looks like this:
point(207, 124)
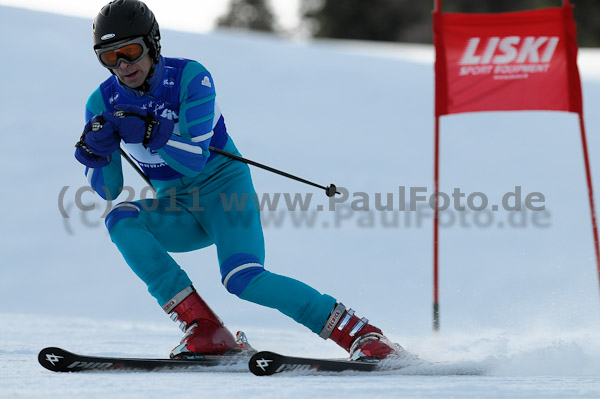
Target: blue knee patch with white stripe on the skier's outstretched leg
point(238, 270)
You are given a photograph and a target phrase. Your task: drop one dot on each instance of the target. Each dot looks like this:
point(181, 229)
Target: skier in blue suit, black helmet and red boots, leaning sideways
point(162, 111)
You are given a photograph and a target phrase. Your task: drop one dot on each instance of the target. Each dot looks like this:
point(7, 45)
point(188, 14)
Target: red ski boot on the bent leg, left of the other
point(205, 333)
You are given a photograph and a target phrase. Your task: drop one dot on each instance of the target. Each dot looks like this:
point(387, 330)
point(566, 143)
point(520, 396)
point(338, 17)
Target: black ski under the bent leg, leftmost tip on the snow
point(60, 360)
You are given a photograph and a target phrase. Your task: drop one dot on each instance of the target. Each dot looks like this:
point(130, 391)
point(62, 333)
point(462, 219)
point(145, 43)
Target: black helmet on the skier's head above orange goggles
point(127, 19)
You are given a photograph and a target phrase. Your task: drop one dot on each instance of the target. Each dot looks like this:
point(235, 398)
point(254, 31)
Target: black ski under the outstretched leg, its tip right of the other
point(269, 363)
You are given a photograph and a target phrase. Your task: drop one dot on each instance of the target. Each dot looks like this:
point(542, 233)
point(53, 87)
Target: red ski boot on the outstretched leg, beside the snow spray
point(363, 341)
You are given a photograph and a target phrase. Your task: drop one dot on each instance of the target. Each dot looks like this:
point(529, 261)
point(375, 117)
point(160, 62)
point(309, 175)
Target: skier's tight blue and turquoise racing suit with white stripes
point(199, 197)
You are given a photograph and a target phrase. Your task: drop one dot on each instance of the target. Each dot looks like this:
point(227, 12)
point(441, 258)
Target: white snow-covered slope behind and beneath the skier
point(519, 296)
